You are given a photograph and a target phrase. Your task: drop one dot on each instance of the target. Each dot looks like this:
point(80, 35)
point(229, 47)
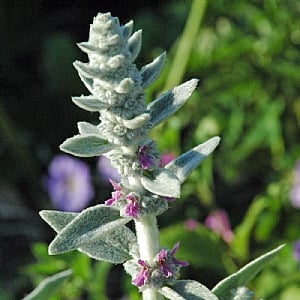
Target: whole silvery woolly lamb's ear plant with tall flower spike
point(116, 88)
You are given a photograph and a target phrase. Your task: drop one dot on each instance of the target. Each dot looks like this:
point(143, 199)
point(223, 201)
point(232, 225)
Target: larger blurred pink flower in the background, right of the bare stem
point(218, 221)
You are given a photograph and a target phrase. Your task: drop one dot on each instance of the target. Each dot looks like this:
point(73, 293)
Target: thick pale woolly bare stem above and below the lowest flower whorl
point(148, 240)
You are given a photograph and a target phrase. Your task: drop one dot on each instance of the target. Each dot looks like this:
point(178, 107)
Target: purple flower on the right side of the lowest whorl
point(167, 263)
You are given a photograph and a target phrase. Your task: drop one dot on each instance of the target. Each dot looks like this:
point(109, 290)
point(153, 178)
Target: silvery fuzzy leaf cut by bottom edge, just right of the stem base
point(187, 290)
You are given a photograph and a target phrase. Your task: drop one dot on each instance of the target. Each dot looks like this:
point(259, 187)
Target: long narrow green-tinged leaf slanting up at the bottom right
point(244, 275)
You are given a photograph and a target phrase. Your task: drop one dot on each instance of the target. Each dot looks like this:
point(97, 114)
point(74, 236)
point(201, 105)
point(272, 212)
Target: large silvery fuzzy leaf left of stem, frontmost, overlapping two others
point(91, 224)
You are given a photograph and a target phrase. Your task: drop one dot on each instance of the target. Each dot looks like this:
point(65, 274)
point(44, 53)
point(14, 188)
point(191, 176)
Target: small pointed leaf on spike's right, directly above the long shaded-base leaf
point(151, 71)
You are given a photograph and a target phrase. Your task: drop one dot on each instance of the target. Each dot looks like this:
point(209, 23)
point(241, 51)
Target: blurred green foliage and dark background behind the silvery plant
point(246, 54)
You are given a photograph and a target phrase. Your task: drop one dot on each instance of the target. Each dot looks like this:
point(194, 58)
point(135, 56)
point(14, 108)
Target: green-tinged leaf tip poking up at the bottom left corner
point(48, 286)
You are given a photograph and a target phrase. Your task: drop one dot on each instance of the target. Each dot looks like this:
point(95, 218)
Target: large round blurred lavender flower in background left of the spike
point(69, 183)
